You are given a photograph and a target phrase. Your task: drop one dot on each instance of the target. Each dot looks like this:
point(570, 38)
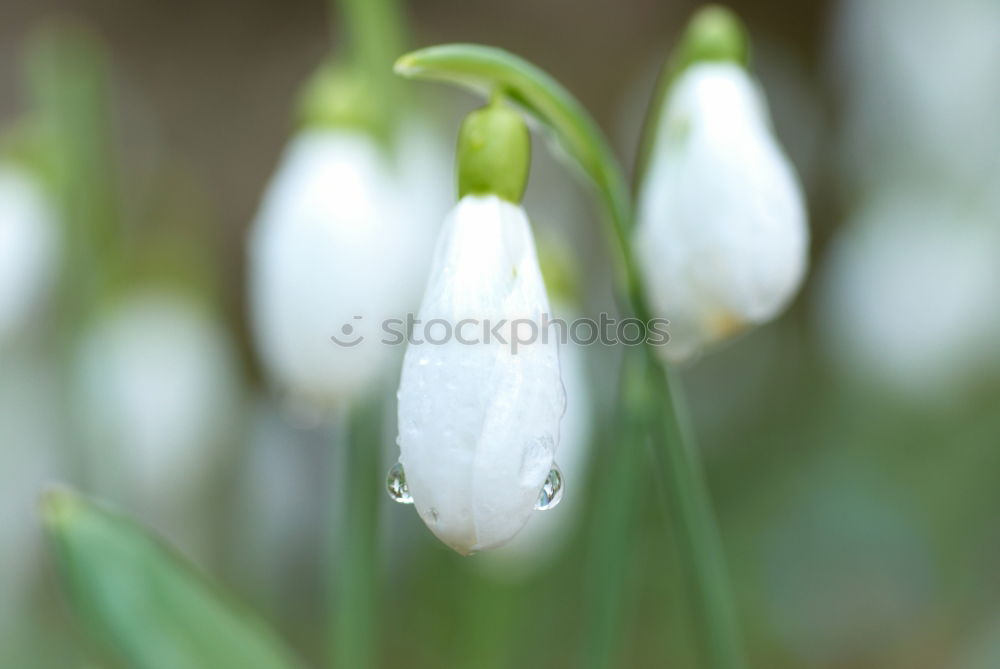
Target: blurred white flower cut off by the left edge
point(28, 248)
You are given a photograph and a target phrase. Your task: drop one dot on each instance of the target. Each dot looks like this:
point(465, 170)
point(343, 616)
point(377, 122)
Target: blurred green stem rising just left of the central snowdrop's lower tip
point(355, 555)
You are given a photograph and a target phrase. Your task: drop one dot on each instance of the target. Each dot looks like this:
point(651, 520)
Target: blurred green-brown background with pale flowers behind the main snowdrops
point(852, 447)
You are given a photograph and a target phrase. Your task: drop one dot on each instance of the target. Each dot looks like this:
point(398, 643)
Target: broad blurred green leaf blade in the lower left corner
point(147, 606)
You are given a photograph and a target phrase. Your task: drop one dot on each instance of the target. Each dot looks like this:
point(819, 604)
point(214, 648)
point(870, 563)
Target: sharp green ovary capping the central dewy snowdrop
point(494, 152)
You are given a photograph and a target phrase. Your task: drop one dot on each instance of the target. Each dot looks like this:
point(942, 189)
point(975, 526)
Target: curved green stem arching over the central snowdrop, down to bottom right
point(484, 69)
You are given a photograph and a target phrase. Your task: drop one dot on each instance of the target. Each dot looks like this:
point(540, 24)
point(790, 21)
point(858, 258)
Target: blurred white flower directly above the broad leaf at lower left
point(156, 389)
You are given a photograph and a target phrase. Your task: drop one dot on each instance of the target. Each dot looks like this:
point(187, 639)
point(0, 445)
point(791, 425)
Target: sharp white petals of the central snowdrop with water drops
point(479, 423)
